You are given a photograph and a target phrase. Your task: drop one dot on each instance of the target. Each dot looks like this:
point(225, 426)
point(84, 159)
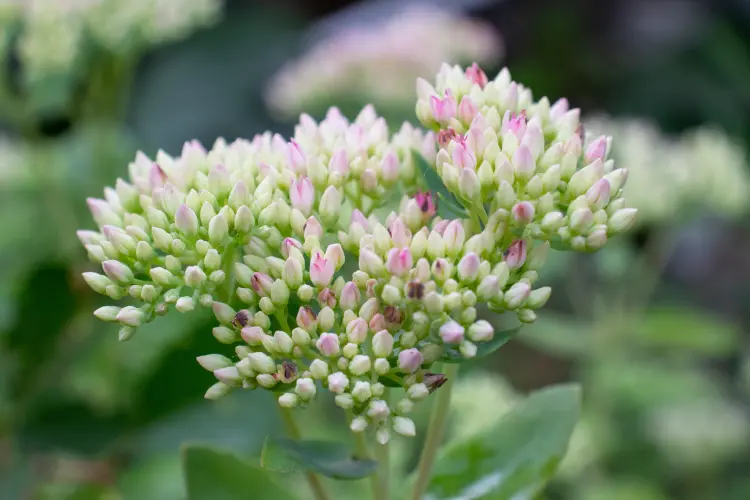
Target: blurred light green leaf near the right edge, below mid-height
point(696, 331)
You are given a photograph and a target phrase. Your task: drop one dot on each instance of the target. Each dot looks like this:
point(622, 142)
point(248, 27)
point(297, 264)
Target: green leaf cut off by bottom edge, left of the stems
point(212, 474)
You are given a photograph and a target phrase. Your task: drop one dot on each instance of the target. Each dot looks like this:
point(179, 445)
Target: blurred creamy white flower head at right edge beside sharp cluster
point(702, 169)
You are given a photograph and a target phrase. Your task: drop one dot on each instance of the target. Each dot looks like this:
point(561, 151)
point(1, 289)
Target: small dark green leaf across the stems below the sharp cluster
point(328, 458)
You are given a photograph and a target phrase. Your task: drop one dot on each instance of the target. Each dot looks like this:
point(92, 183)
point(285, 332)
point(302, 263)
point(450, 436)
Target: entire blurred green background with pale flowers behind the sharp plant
point(655, 327)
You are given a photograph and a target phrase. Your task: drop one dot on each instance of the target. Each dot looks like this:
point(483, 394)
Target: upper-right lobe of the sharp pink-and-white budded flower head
point(524, 161)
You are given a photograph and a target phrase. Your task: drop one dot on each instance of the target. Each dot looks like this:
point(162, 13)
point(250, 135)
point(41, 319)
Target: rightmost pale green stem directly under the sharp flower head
point(435, 432)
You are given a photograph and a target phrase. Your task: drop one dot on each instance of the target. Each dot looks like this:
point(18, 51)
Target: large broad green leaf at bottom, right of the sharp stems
point(515, 459)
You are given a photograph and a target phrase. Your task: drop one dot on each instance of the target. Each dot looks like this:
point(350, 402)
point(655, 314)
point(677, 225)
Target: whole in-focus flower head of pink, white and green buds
point(322, 277)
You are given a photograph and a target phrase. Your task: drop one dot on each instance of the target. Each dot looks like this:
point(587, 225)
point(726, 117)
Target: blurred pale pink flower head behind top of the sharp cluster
point(380, 64)
